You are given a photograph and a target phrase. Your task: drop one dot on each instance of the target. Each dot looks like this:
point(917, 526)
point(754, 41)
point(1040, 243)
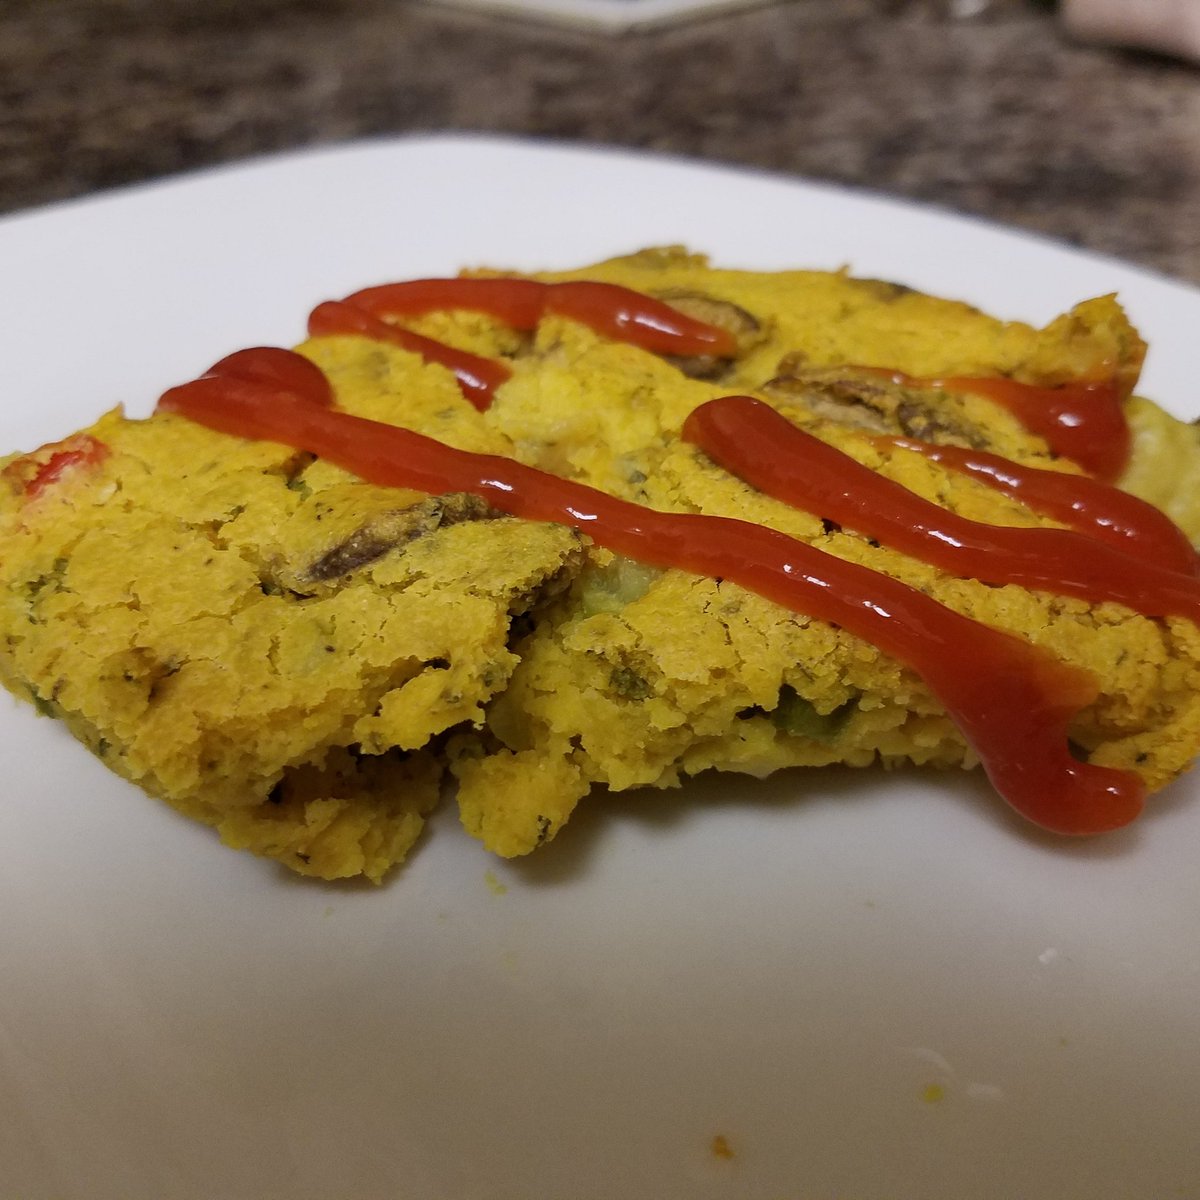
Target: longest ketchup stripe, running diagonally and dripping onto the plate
point(1013, 701)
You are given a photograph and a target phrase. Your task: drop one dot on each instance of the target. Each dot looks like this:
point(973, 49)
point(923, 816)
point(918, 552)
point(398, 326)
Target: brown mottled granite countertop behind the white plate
point(982, 106)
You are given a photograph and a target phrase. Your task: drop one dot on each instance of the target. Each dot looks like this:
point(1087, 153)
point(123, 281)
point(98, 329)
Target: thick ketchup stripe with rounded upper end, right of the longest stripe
point(754, 442)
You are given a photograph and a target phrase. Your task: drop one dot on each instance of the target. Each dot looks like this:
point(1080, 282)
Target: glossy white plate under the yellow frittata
point(873, 988)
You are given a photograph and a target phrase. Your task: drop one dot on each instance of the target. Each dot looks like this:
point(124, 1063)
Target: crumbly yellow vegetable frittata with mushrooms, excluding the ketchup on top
point(308, 662)
